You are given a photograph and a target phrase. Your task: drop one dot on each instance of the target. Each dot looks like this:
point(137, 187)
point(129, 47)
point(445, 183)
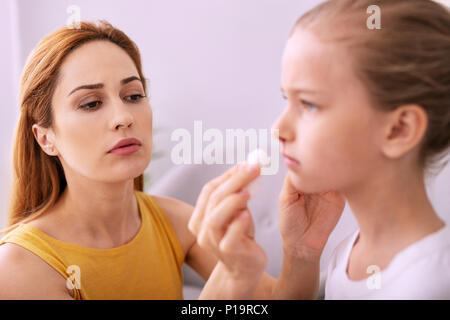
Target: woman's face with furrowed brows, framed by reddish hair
point(99, 100)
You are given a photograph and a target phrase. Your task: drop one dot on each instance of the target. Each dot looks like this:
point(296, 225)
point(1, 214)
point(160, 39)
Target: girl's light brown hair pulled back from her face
point(406, 61)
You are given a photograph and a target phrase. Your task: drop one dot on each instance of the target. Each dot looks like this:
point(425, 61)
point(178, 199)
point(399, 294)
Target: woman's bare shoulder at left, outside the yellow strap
point(26, 276)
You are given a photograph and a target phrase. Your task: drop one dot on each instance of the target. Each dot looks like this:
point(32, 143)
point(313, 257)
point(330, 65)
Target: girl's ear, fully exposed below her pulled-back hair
point(405, 130)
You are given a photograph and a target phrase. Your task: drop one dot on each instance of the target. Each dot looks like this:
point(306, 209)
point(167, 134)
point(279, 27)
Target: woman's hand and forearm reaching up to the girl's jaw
point(305, 221)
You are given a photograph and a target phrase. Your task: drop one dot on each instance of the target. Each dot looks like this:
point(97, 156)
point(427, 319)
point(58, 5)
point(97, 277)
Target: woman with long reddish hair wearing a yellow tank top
point(80, 226)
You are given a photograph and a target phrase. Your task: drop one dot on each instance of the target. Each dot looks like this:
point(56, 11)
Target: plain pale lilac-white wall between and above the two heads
point(207, 60)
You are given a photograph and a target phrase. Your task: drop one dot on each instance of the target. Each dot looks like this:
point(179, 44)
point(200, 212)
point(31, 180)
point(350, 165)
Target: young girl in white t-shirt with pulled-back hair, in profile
point(367, 114)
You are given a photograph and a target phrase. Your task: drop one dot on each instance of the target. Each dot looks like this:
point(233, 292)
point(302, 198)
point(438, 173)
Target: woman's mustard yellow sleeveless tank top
point(147, 267)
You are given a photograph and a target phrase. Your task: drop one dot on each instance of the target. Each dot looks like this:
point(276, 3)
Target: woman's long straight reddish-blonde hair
point(38, 178)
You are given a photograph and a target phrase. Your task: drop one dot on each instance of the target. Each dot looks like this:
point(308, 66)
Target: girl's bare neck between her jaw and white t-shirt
point(393, 210)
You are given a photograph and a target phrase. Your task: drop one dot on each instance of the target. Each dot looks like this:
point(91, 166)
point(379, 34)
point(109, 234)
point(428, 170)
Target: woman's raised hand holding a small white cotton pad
point(224, 226)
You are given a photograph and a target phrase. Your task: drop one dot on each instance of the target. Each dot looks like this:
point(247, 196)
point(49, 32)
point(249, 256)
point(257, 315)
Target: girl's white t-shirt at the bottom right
point(420, 271)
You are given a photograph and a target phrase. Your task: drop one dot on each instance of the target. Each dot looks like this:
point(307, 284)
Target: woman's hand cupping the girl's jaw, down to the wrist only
point(306, 220)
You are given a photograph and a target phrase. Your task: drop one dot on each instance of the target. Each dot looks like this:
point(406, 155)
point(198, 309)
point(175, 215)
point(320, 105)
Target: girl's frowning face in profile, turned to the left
point(328, 125)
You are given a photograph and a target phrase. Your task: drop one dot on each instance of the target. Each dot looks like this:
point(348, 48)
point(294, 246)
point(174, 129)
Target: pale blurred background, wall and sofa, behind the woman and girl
point(217, 61)
